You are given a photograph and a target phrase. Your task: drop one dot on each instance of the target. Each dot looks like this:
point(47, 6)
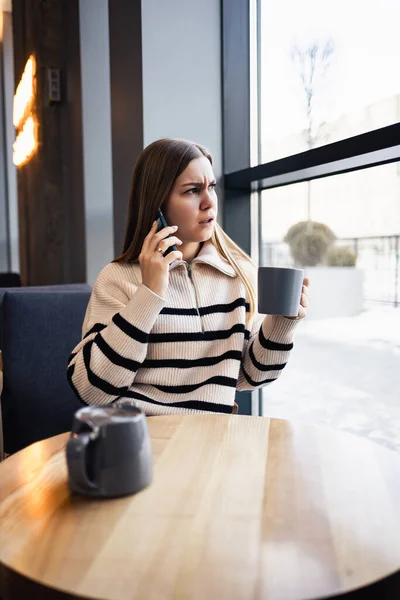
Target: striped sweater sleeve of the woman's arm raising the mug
point(266, 352)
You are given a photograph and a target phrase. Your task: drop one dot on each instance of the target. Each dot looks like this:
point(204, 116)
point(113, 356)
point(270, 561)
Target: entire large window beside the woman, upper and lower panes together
point(329, 72)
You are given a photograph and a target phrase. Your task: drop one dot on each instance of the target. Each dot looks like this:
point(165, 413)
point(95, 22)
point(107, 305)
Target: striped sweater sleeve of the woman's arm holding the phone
point(115, 338)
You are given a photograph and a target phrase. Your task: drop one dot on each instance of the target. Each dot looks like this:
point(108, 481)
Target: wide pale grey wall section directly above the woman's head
point(181, 45)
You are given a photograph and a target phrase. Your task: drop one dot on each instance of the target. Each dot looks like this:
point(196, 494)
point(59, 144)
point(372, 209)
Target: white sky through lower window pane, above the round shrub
point(357, 204)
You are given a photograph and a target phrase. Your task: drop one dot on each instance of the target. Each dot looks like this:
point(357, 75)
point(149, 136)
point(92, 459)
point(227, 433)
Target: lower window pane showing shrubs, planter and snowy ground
point(344, 231)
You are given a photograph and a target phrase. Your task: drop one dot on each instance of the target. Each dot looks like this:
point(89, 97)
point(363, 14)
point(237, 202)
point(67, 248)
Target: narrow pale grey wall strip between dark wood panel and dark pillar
point(96, 124)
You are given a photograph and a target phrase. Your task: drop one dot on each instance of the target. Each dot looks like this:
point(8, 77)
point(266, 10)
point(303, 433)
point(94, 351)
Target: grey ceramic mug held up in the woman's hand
point(279, 290)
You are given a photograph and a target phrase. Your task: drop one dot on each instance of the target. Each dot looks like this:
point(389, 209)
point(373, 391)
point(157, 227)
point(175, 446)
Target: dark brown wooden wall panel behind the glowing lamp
point(50, 186)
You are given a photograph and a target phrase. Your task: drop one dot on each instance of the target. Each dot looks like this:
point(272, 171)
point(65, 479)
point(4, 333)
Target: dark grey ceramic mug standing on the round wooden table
point(109, 452)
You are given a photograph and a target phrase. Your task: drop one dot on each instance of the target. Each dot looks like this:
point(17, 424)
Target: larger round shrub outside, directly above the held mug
point(309, 242)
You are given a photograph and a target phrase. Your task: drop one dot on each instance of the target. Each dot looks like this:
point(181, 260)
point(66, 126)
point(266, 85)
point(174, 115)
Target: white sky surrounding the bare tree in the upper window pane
point(365, 64)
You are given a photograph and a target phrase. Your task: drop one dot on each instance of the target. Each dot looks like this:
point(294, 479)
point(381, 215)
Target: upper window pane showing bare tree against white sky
point(328, 71)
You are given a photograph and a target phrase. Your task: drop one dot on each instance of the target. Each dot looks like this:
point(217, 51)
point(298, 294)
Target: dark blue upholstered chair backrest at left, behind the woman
point(39, 331)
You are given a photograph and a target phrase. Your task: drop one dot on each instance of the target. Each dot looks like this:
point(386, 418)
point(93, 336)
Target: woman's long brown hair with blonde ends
point(156, 170)
